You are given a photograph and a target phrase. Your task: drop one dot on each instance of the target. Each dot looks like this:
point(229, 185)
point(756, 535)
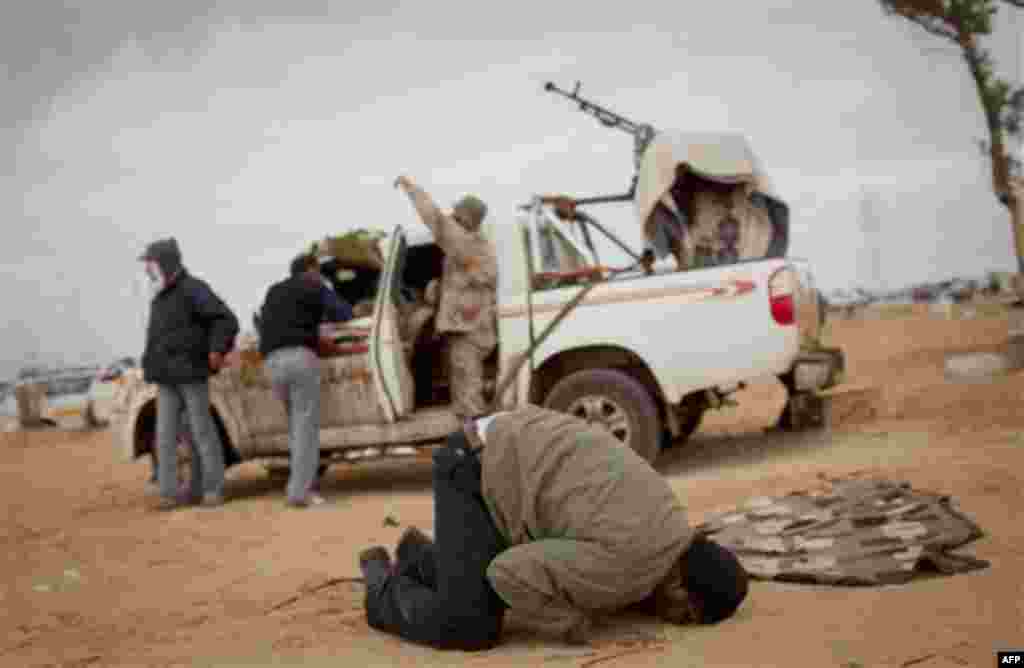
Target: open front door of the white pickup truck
point(389, 362)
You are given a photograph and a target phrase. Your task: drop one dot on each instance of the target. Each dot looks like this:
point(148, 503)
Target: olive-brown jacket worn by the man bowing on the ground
point(591, 527)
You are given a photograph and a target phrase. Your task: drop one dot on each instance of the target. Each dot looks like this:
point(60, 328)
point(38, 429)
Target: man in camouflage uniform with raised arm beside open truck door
point(467, 313)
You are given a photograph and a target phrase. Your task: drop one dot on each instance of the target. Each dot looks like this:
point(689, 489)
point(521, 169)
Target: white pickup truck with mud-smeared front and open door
point(646, 355)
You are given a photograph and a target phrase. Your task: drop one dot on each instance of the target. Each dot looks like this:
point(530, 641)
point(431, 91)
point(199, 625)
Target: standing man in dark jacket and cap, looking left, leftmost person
point(191, 329)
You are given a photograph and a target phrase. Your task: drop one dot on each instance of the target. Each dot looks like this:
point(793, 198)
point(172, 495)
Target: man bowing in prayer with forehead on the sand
point(538, 512)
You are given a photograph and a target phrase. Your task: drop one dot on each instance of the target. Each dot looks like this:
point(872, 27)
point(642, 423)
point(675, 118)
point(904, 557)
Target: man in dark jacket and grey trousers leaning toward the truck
point(290, 344)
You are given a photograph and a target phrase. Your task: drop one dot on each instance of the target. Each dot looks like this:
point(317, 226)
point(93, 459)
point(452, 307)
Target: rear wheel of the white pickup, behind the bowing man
point(615, 401)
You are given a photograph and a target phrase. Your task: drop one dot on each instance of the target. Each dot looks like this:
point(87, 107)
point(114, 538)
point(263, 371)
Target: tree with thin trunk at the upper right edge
point(964, 23)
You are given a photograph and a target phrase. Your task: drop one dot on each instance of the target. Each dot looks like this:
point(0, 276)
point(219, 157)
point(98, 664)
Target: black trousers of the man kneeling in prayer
point(443, 598)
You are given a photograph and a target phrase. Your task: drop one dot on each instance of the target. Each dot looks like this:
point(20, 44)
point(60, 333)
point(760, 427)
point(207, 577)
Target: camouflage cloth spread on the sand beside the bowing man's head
point(855, 532)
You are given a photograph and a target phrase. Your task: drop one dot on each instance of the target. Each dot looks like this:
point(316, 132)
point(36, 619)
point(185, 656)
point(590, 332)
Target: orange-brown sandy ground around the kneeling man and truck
point(94, 577)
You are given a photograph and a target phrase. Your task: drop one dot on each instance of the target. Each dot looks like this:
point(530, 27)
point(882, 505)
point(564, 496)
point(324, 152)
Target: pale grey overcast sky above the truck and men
point(252, 129)
